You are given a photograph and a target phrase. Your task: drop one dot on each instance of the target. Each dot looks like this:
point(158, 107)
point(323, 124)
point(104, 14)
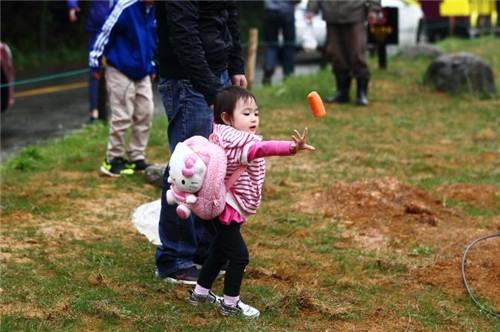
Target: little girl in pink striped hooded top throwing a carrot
point(236, 123)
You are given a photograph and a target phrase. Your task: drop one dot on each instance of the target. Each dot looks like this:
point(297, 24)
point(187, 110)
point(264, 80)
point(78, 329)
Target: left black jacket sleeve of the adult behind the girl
point(182, 20)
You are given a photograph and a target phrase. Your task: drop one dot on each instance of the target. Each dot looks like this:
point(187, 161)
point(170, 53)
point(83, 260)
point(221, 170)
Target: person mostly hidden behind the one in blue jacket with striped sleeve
point(99, 10)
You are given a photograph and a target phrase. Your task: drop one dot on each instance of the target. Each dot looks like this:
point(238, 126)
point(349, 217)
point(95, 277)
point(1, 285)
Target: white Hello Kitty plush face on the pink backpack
point(187, 170)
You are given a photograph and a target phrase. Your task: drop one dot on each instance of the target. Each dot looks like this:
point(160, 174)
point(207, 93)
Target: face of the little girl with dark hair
point(245, 116)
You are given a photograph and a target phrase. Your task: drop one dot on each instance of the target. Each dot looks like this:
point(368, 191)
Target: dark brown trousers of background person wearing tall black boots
point(346, 43)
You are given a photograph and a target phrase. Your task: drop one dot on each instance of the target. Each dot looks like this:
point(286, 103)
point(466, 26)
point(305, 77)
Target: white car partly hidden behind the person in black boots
point(411, 21)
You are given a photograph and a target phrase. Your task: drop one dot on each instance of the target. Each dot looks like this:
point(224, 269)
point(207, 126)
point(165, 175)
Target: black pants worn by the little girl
point(227, 246)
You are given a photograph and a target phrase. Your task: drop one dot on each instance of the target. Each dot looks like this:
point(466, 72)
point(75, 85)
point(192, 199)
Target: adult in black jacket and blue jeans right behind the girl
point(199, 54)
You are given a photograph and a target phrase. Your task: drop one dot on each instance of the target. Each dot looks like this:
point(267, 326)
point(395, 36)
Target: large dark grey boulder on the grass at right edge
point(461, 72)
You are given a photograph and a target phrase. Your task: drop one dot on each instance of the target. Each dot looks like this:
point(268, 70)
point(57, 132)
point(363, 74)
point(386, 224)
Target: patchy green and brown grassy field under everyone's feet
point(365, 234)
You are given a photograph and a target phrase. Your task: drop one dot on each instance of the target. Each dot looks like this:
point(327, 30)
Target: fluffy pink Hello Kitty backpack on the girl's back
point(197, 172)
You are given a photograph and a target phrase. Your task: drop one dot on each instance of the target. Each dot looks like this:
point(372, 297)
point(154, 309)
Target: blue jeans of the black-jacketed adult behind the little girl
point(182, 240)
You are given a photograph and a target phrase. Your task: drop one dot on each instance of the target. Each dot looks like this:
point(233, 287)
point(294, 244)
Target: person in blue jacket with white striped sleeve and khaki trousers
point(128, 40)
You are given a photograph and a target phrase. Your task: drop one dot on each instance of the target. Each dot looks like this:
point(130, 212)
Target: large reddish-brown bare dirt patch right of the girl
point(386, 215)
